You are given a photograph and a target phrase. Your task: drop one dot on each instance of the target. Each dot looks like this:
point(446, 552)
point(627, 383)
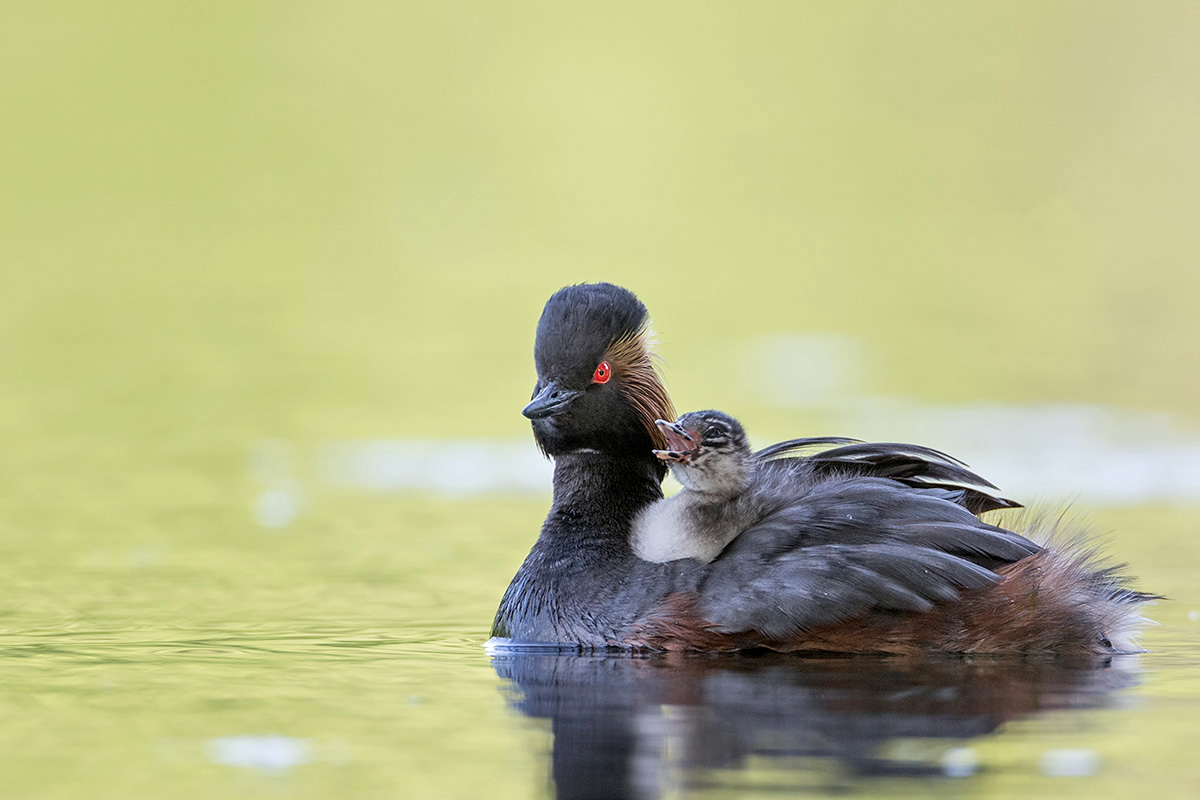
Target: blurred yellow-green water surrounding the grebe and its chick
point(299, 224)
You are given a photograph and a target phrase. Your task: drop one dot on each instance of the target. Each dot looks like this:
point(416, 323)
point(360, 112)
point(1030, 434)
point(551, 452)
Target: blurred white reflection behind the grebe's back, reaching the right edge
point(1099, 455)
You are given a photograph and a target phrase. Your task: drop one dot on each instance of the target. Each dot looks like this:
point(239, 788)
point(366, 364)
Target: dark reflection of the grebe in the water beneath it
point(646, 727)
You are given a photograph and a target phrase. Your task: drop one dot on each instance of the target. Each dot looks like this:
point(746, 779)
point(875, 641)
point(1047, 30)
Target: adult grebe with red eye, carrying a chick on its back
point(868, 548)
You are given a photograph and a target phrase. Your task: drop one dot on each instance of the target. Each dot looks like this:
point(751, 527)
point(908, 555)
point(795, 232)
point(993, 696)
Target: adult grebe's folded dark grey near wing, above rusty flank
point(848, 548)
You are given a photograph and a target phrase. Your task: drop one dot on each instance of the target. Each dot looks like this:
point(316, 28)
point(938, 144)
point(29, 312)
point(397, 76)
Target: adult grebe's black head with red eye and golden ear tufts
point(597, 386)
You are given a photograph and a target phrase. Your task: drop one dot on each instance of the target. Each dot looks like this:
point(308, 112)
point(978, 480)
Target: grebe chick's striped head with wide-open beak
point(709, 452)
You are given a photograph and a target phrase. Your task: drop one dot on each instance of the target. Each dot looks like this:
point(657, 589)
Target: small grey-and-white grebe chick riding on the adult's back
point(709, 454)
